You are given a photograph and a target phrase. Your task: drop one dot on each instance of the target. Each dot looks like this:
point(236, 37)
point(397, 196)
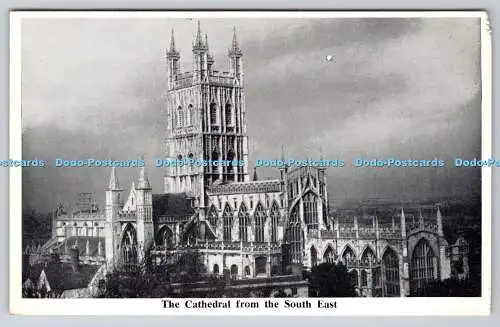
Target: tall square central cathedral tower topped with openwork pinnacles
point(206, 119)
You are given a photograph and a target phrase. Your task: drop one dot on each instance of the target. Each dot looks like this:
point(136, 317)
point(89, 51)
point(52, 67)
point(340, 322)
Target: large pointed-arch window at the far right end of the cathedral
point(423, 265)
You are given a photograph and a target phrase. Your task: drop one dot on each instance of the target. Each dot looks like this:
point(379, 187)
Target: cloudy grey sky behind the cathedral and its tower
point(402, 88)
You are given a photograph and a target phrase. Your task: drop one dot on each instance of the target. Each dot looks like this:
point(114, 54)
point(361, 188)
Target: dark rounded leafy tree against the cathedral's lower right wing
point(332, 280)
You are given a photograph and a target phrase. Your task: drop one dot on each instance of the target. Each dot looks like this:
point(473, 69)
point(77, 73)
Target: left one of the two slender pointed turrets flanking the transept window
point(112, 225)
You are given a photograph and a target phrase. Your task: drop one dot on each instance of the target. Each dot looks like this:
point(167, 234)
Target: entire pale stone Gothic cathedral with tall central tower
point(247, 227)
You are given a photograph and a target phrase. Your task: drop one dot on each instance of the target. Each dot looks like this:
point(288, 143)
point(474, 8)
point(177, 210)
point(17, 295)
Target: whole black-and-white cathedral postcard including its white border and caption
point(218, 160)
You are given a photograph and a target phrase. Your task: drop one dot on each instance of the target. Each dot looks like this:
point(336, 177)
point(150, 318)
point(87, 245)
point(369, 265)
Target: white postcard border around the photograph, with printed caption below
point(345, 306)
